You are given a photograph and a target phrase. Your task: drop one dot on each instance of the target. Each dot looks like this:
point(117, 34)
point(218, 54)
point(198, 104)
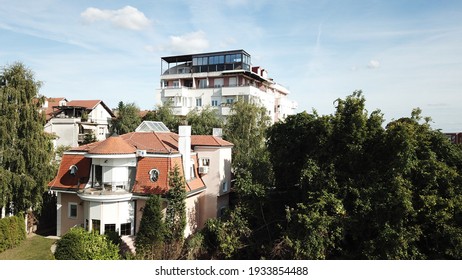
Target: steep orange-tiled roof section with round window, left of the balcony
point(65, 180)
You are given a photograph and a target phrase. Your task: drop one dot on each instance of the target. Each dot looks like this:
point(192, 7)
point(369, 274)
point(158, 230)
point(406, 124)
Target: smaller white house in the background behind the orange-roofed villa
point(71, 121)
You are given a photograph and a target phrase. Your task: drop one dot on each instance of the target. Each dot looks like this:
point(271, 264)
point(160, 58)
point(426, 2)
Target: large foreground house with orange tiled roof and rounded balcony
point(104, 185)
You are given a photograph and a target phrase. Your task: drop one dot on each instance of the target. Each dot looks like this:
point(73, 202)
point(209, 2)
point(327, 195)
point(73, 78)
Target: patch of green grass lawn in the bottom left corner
point(35, 247)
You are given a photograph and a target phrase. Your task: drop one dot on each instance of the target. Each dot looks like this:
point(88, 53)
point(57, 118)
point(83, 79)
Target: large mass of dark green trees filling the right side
point(353, 189)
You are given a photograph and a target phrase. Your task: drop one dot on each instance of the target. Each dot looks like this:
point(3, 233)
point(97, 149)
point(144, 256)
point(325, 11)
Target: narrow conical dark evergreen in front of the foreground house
point(150, 237)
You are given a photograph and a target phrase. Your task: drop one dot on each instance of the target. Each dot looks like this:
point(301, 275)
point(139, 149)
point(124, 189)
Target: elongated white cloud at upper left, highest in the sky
point(127, 17)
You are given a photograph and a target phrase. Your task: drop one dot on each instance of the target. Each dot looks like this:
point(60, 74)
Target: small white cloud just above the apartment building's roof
point(189, 43)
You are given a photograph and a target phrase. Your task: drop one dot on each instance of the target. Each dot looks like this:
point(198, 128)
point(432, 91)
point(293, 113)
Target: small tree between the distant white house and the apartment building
point(127, 120)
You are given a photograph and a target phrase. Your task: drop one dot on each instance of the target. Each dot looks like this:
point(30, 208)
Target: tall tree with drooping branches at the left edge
point(26, 151)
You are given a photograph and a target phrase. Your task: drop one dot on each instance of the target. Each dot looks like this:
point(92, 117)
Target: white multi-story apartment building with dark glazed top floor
point(218, 79)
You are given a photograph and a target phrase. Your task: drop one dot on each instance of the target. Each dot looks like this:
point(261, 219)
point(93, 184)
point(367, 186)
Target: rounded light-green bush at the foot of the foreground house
point(79, 244)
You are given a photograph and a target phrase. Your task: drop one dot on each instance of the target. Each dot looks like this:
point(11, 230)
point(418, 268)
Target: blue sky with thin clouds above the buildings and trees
point(402, 54)
